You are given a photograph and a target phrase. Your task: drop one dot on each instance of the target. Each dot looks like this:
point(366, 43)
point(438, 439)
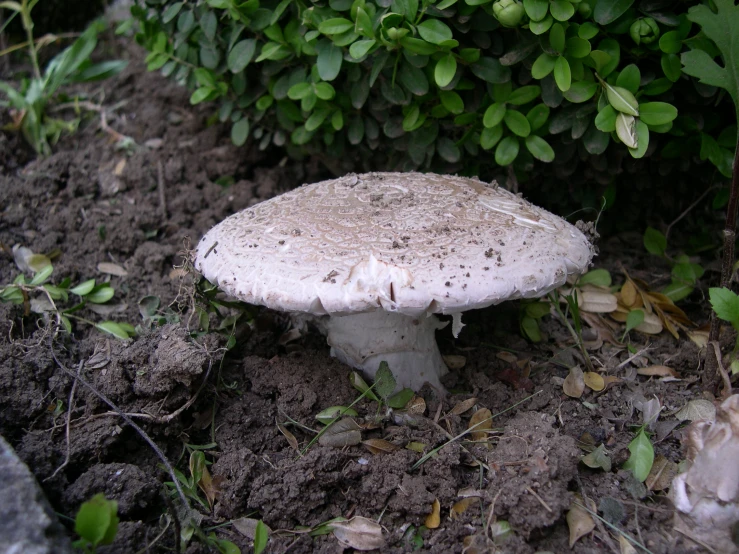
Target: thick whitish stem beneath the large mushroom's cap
point(406, 343)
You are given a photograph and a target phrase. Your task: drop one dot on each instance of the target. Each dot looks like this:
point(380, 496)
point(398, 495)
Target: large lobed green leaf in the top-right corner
point(723, 29)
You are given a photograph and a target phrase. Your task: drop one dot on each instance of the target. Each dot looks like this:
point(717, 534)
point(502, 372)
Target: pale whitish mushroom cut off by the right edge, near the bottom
point(706, 496)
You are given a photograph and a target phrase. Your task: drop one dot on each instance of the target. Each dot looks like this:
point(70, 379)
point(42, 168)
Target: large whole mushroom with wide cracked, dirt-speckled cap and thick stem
point(380, 253)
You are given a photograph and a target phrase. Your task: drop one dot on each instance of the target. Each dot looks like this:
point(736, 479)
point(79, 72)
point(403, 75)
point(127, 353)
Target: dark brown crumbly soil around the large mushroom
point(141, 208)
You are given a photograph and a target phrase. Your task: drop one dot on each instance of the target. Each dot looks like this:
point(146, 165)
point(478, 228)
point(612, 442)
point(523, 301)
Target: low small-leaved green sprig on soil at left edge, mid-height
point(38, 295)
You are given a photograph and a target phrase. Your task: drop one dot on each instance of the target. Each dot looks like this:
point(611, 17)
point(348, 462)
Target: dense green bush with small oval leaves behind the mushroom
point(460, 85)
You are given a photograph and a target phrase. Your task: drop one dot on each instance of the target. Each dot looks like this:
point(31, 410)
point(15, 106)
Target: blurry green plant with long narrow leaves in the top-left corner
point(30, 103)
